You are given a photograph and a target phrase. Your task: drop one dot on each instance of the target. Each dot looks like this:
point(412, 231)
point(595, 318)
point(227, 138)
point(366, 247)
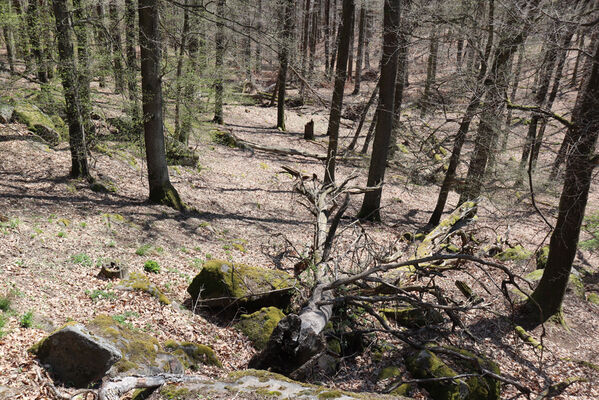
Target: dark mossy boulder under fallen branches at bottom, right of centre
point(424, 364)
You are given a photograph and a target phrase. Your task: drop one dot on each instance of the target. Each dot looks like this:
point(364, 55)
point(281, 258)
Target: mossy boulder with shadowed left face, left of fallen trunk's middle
point(223, 283)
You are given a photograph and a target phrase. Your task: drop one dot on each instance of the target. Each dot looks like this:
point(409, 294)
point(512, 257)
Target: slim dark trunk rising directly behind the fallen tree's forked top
point(337, 101)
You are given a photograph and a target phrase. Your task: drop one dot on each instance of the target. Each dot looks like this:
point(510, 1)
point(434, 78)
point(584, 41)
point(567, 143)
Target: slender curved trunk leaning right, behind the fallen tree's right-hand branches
point(460, 138)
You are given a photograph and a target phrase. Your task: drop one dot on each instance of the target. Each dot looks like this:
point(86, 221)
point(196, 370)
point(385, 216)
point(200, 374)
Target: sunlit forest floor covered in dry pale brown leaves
point(57, 231)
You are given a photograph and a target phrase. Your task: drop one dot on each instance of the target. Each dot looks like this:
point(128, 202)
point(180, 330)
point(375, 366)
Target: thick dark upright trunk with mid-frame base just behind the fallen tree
point(370, 209)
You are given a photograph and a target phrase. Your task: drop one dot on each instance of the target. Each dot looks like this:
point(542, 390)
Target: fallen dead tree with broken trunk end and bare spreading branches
point(297, 343)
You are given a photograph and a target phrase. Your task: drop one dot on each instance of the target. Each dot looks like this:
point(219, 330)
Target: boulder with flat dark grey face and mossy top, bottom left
point(80, 355)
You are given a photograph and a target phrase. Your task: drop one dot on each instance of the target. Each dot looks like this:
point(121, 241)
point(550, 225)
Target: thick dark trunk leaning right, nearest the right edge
point(547, 298)
